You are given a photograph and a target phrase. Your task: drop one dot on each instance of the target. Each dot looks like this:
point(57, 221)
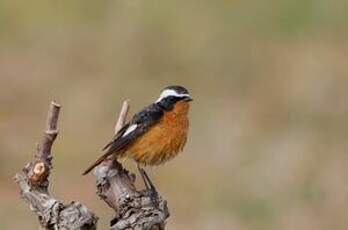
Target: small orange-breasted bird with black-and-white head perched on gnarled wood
point(155, 134)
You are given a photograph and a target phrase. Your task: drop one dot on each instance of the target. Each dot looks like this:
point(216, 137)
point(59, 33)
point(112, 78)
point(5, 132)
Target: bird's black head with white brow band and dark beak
point(171, 95)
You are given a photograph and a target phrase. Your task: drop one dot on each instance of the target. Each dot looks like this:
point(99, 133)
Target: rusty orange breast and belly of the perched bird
point(164, 140)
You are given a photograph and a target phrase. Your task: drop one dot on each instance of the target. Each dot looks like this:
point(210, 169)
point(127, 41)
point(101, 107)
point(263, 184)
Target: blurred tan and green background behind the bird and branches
point(268, 139)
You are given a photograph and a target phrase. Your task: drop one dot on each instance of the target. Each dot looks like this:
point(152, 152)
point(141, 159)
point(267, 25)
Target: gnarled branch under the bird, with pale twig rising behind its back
point(115, 185)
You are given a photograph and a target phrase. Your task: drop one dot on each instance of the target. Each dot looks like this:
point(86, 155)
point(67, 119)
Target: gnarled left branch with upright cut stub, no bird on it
point(33, 184)
